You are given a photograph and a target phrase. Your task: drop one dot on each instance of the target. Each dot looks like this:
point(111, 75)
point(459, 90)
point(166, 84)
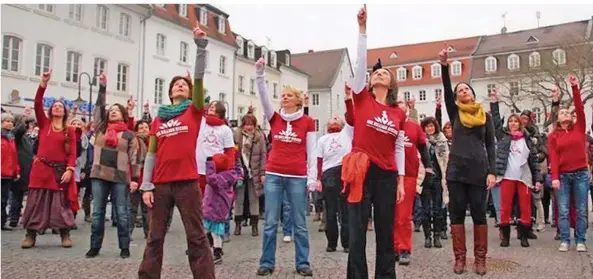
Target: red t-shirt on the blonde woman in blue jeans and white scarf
point(288, 156)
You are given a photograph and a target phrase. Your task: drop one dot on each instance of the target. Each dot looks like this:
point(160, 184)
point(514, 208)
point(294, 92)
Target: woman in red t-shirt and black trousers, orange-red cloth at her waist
point(376, 164)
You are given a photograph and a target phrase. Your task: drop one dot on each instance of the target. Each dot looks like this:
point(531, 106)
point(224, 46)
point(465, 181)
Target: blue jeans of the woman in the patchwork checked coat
point(119, 199)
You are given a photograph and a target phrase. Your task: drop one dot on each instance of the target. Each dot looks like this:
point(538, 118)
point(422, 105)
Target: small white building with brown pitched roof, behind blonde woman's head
point(328, 71)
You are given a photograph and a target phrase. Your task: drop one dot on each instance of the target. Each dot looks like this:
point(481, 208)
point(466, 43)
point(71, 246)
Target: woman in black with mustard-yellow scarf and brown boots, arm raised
point(470, 173)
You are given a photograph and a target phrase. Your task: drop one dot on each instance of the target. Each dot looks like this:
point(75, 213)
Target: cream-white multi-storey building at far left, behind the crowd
point(71, 40)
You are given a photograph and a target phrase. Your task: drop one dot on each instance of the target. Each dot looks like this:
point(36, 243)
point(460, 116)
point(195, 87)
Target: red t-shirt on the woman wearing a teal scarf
point(176, 146)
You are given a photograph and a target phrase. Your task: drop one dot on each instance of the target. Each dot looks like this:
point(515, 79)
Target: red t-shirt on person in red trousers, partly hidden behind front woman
point(413, 137)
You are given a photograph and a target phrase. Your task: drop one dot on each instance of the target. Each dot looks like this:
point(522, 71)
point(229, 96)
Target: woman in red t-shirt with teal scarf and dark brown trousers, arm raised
point(171, 175)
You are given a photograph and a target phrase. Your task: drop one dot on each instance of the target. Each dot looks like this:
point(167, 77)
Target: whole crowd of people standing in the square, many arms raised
point(378, 162)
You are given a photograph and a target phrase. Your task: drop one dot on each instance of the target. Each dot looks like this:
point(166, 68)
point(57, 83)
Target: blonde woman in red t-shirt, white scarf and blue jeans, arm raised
point(288, 170)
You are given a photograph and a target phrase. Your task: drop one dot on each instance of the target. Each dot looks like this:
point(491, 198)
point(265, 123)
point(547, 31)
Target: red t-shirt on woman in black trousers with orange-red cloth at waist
point(376, 128)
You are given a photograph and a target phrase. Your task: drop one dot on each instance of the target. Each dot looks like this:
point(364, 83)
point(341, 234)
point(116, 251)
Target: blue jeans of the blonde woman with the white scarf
point(275, 188)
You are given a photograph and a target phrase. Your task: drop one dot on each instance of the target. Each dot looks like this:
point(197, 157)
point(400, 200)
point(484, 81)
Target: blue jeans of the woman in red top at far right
point(577, 184)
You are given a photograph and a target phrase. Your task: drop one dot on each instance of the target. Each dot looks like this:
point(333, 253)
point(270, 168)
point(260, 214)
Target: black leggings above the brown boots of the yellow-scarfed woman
point(460, 196)
